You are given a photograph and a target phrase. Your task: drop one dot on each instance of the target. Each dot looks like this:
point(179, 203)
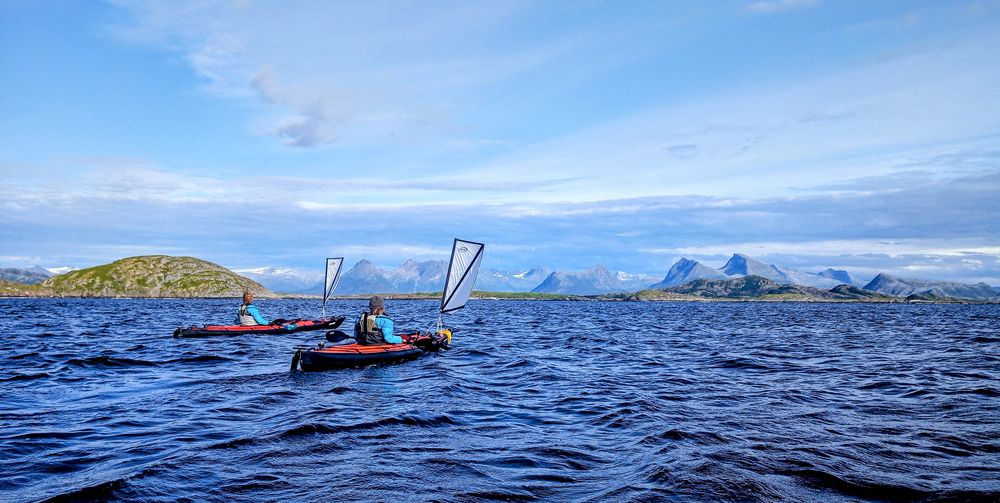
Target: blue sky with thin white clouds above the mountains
point(810, 134)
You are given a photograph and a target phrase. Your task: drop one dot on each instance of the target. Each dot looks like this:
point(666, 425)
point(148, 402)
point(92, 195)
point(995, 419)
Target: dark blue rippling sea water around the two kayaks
point(549, 401)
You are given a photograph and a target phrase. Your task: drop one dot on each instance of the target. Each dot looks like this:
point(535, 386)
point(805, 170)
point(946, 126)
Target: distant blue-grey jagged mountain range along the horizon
point(426, 277)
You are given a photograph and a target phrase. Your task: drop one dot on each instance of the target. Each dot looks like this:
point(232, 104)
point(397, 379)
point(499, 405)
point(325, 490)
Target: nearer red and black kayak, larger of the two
point(362, 355)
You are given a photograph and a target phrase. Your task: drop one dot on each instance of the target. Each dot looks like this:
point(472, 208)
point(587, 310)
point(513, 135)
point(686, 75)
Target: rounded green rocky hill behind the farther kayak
point(153, 276)
